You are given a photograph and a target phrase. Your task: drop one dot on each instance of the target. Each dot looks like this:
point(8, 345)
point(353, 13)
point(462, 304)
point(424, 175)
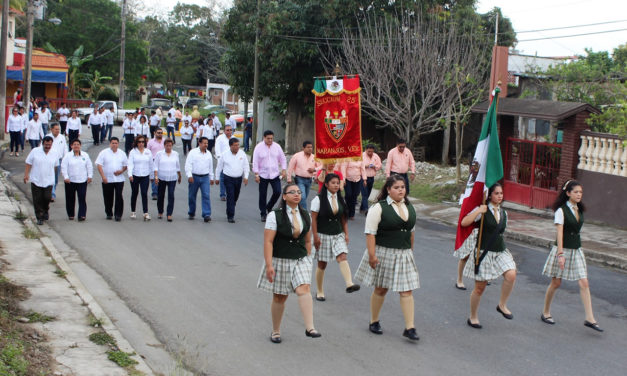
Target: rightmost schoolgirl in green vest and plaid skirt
point(566, 259)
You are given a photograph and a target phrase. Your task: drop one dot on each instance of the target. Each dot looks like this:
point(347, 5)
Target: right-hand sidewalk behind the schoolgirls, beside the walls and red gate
point(602, 244)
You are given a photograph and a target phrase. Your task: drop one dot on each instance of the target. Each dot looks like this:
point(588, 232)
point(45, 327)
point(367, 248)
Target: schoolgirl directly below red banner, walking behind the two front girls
point(330, 231)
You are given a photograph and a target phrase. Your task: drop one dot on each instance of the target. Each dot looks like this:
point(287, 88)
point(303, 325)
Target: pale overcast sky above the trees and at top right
point(530, 15)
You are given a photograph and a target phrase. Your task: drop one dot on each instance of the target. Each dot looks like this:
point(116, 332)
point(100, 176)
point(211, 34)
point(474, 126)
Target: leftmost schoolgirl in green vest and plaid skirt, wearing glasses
point(288, 261)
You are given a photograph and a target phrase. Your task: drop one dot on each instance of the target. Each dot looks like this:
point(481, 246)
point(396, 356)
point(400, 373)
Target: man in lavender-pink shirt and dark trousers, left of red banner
point(269, 165)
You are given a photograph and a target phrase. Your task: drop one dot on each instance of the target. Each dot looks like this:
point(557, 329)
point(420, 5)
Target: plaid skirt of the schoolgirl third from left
point(396, 270)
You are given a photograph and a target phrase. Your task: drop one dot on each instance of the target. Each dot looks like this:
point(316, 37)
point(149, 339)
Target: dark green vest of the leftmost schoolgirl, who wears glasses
point(284, 244)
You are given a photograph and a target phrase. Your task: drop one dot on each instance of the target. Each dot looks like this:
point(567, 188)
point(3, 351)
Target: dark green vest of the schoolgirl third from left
point(393, 232)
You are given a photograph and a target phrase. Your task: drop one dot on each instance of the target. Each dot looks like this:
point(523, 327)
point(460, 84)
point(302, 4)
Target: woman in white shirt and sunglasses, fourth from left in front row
point(139, 167)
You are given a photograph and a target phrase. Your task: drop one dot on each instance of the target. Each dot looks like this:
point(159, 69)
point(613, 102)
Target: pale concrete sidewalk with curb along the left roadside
point(35, 263)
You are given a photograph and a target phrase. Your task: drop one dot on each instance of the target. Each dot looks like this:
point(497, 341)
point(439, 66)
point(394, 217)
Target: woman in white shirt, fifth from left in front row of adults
point(167, 174)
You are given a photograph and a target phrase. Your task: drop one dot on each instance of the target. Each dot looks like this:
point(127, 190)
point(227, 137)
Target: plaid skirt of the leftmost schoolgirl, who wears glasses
point(289, 274)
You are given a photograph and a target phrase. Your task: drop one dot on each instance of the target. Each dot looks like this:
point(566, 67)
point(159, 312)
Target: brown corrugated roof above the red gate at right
point(535, 108)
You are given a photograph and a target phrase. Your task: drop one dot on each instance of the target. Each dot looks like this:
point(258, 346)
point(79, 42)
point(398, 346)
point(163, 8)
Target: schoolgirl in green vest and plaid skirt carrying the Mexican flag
point(495, 259)
